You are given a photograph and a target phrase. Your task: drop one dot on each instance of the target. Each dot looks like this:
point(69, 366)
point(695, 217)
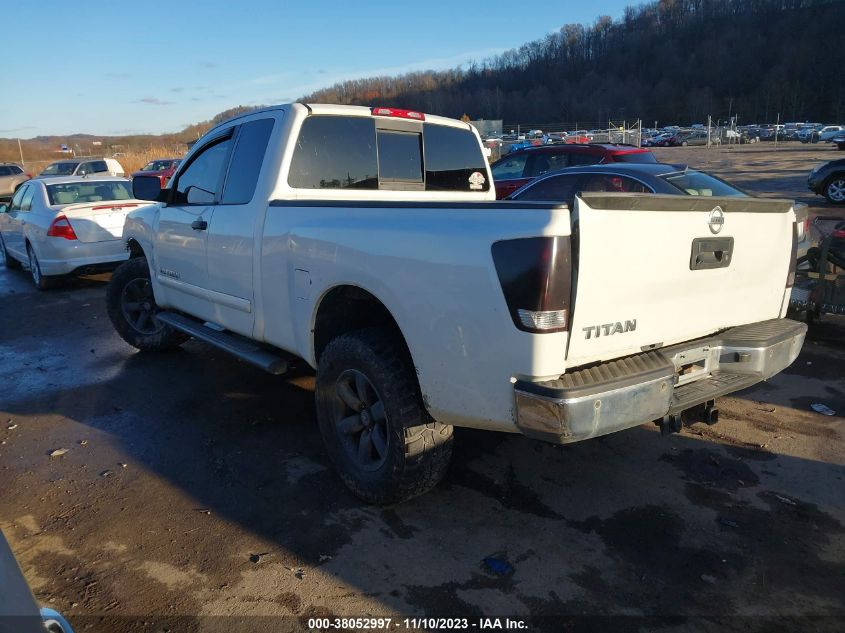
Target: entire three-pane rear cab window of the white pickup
point(348, 152)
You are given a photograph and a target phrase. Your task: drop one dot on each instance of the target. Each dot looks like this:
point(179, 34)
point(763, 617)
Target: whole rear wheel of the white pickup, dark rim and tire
point(382, 441)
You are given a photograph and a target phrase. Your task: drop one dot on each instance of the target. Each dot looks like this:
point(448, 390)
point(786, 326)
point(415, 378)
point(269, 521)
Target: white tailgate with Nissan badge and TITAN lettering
point(653, 270)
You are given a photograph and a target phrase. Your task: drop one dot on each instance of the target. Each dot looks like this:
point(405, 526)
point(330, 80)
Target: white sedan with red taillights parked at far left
point(64, 226)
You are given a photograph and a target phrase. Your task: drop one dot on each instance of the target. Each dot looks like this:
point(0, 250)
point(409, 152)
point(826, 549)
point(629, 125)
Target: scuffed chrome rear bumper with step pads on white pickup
point(627, 392)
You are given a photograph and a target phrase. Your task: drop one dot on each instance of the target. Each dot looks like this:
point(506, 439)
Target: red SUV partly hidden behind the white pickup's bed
point(516, 169)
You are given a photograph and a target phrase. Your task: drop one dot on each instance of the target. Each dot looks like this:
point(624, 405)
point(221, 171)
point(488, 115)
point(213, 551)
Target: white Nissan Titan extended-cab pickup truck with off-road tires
point(369, 243)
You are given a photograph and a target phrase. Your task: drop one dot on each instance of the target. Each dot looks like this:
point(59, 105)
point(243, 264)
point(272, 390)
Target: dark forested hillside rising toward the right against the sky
point(675, 61)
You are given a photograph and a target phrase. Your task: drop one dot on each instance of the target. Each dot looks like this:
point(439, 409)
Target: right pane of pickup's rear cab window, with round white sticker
point(453, 159)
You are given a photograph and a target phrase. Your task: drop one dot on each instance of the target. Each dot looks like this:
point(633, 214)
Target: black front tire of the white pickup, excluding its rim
point(164, 337)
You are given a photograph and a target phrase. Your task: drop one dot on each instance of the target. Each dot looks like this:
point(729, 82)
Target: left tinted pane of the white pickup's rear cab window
point(335, 152)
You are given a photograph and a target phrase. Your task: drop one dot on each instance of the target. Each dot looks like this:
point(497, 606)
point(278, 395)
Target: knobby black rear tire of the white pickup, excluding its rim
point(418, 448)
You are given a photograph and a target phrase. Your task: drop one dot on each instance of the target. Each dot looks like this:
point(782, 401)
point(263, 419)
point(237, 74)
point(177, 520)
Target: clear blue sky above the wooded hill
point(152, 67)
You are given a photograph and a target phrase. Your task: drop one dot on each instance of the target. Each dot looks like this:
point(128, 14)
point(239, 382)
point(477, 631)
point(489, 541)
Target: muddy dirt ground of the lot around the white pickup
point(194, 487)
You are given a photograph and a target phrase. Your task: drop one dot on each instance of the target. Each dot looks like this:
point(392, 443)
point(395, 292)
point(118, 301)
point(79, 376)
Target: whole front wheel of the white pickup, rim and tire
point(132, 308)
